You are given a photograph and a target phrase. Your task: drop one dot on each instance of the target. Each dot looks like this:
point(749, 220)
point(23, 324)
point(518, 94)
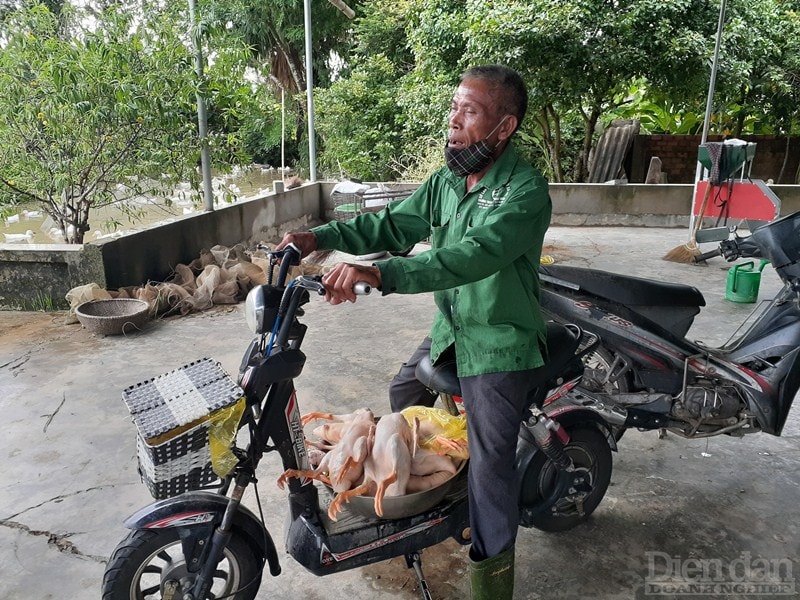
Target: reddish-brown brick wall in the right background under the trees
point(678, 154)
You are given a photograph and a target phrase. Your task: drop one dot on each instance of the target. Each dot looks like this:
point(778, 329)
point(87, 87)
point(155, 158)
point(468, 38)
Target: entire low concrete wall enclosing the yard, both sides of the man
point(38, 276)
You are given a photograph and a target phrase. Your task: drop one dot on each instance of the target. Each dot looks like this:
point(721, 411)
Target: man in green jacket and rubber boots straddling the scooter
point(486, 214)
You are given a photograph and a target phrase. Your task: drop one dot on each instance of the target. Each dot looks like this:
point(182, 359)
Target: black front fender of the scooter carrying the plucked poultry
point(200, 511)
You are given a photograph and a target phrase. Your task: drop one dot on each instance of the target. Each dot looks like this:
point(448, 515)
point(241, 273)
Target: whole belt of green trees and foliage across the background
point(89, 115)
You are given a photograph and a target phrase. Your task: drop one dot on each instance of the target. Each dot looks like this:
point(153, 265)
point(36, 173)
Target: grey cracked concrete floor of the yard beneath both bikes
point(69, 474)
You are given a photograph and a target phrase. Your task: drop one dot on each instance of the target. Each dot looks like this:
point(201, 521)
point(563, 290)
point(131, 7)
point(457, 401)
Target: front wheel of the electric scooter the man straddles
point(147, 560)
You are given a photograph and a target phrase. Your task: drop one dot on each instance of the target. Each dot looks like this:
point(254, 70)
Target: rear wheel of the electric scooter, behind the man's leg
point(541, 506)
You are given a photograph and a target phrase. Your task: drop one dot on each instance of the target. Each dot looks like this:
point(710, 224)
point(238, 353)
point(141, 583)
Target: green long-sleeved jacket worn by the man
point(482, 266)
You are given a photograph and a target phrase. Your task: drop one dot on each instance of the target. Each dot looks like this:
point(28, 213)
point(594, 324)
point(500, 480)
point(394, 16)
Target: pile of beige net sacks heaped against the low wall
point(221, 275)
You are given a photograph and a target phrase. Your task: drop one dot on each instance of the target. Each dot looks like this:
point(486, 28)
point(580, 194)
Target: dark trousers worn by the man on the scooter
point(495, 405)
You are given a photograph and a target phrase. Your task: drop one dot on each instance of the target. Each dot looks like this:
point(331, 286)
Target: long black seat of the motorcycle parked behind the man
point(625, 289)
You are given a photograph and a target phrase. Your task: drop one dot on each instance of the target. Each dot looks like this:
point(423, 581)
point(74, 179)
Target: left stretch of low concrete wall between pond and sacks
point(38, 276)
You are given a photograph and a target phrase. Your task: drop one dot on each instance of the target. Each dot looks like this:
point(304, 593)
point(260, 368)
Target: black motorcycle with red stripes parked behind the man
point(645, 373)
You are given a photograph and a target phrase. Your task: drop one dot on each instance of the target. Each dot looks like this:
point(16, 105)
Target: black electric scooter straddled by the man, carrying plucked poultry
point(205, 544)
